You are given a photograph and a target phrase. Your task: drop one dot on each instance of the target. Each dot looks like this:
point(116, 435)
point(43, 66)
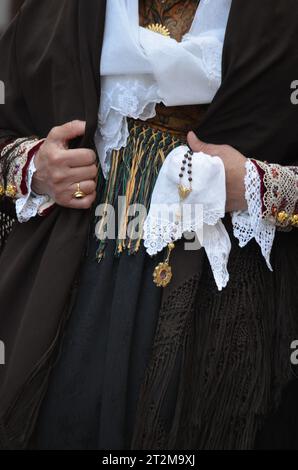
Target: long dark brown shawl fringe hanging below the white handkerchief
point(220, 360)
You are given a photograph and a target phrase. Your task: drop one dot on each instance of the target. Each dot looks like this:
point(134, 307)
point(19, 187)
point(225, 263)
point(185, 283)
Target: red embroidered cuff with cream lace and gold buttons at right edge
point(279, 193)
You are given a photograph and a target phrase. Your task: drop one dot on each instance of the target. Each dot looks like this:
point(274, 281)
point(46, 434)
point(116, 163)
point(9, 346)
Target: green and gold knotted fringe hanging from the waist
point(133, 174)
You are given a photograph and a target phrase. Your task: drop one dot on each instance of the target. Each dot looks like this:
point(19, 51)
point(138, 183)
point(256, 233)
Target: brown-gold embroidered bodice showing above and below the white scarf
point(177, 16)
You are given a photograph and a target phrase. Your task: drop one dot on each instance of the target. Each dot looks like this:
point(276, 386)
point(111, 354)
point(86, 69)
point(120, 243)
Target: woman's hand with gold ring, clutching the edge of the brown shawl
point(59, 169)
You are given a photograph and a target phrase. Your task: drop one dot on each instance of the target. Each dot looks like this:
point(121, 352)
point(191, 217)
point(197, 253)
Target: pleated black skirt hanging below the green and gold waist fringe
point(93, 391)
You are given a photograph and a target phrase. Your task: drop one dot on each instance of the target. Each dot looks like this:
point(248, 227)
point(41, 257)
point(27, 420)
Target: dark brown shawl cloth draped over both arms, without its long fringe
point(50, 59)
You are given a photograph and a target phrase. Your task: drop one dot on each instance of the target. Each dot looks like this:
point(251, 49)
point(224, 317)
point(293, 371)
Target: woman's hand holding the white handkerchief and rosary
point(234, 163)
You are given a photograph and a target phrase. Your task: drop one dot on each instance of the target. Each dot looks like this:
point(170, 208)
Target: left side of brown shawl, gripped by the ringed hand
point(50, 60)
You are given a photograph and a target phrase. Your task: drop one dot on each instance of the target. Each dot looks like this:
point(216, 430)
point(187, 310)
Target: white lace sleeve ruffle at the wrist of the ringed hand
point(30, 205)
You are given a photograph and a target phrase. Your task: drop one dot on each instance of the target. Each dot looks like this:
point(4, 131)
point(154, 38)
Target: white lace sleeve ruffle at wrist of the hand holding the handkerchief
point(250, 224)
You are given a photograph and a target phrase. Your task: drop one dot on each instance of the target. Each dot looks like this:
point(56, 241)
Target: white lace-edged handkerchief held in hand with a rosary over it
point(200, 212)
